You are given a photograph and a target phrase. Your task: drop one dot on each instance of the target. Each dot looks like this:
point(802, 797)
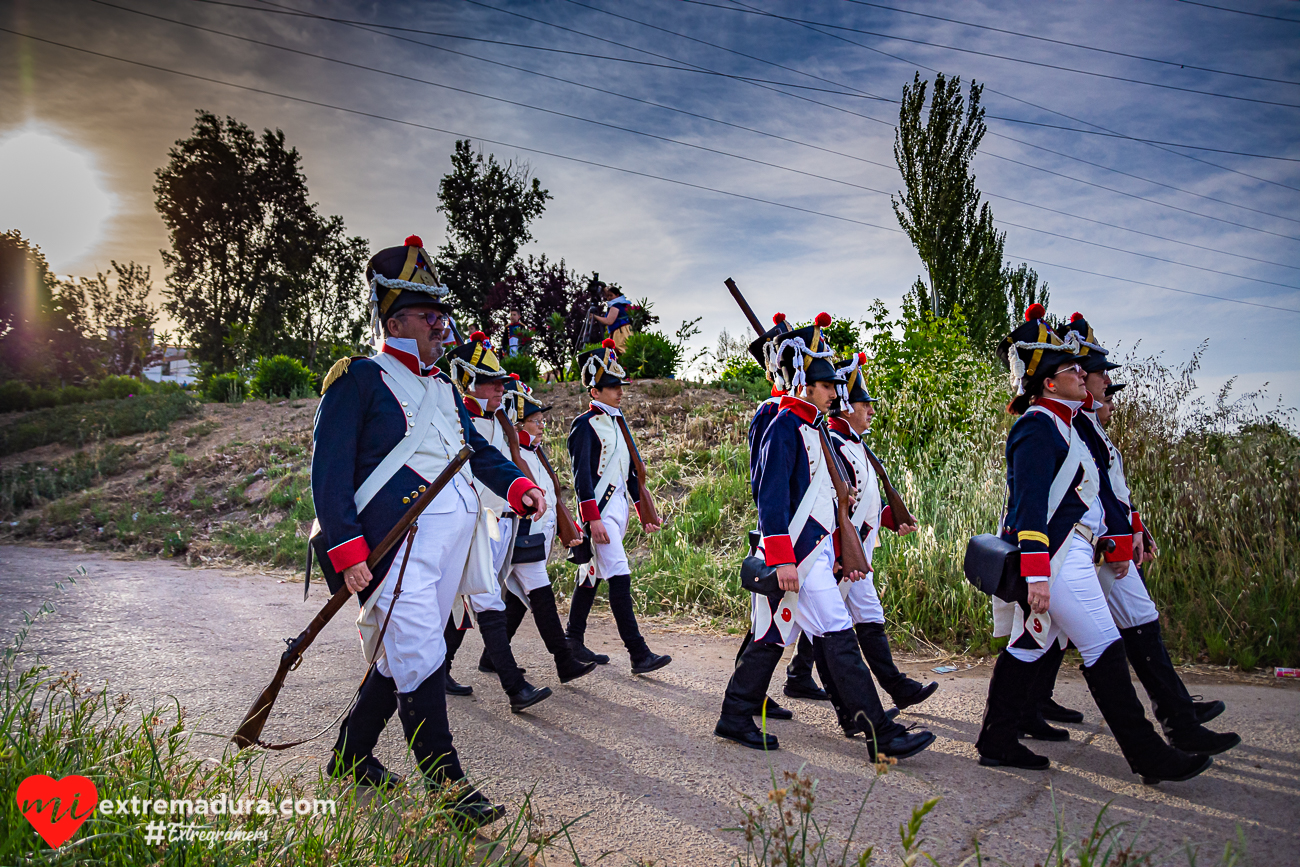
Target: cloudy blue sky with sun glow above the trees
point(687, 142)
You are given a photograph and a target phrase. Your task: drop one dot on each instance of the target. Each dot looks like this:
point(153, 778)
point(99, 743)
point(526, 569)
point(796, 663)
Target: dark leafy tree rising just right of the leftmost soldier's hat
point(489, 207)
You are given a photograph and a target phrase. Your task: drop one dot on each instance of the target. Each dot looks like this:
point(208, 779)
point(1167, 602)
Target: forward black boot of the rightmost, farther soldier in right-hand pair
point(1171, 700)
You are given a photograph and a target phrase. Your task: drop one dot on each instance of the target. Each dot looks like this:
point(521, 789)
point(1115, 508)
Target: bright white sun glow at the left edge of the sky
point(53, 193)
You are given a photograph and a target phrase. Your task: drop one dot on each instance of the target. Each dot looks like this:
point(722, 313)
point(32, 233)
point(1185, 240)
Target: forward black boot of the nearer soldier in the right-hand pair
point(1147, 753)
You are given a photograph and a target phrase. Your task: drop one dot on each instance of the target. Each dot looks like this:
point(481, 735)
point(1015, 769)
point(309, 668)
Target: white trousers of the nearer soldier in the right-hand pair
point(1078, 608)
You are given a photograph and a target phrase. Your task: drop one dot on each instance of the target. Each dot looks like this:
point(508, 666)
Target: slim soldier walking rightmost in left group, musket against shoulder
point(605, 482)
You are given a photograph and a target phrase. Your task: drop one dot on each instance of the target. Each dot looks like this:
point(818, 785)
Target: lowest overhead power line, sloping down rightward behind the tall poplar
point(565, 157)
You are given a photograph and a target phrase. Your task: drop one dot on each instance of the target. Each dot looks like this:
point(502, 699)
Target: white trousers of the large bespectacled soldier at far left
point(414, 647)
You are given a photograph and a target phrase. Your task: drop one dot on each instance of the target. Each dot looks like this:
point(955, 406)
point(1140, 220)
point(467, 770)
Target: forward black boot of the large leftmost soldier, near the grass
point(423, 713)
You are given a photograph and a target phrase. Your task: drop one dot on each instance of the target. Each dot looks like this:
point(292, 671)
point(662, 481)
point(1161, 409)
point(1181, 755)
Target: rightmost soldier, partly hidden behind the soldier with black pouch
point(1130, 605)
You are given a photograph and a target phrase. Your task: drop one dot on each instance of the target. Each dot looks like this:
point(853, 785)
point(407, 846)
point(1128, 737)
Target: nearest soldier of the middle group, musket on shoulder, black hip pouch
point(798, 521)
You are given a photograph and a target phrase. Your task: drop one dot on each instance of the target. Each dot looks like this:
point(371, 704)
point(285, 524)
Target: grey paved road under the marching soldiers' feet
point(638, 755)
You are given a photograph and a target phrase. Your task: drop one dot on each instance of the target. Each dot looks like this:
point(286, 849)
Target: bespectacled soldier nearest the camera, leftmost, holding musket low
point(387, 426)
